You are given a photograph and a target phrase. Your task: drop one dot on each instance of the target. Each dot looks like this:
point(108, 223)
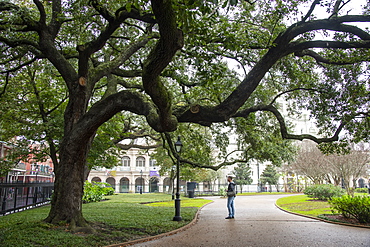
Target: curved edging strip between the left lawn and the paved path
point(142, 240)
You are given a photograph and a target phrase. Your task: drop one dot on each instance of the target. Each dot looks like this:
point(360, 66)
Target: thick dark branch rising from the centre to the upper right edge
point(207, 115)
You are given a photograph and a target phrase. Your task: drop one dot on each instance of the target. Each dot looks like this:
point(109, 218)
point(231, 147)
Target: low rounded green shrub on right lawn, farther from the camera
point(324, 191)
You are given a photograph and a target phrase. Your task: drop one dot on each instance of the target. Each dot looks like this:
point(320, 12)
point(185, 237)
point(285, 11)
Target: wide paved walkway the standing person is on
point(259, 223)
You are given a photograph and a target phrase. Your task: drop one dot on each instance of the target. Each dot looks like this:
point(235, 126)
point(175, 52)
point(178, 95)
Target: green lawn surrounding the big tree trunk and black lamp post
point(121, 218)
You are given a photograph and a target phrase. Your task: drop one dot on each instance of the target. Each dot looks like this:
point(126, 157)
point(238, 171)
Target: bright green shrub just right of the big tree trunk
point(95, 192)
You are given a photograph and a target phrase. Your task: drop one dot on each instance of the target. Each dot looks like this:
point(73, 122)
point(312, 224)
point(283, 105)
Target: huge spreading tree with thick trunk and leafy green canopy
point(168, 61)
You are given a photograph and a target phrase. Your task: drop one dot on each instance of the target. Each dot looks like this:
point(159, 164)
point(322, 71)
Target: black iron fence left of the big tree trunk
point(16, 197)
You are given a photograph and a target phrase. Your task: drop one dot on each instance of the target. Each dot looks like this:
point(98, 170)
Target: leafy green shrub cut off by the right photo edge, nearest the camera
point(357, 207)
